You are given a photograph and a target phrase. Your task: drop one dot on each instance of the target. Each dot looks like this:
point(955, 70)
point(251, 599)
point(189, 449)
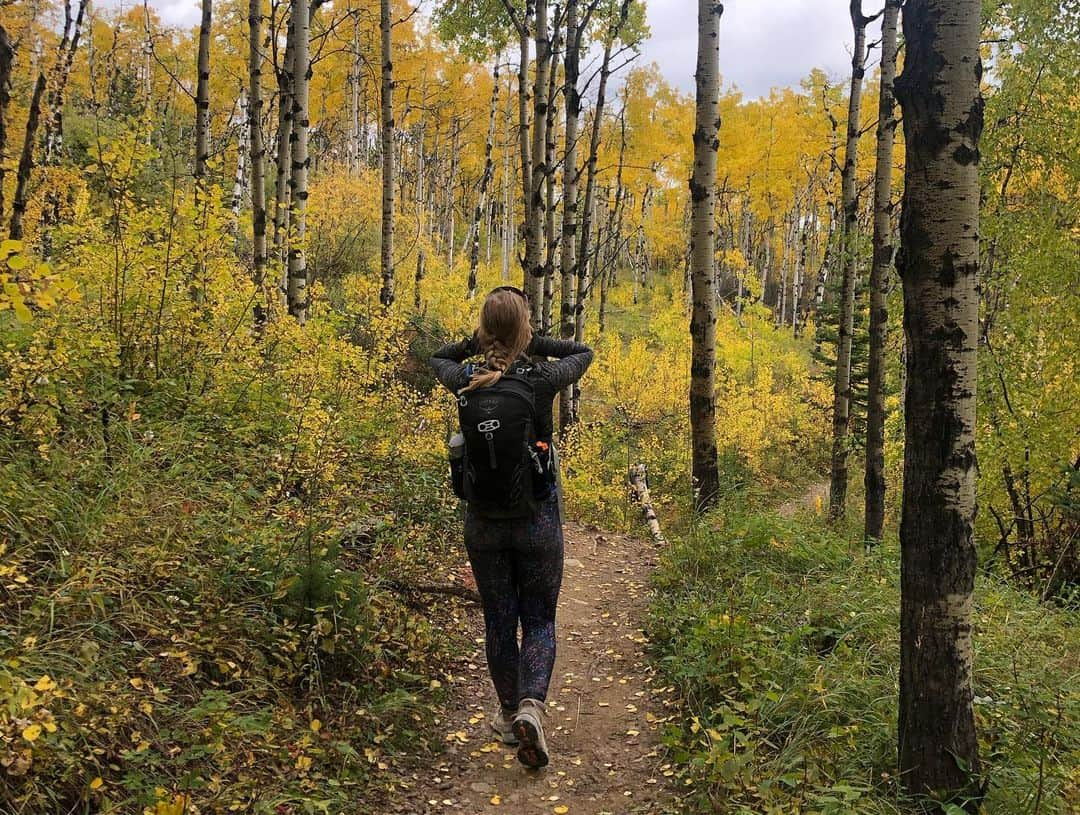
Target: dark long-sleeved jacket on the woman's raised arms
point(548, 376)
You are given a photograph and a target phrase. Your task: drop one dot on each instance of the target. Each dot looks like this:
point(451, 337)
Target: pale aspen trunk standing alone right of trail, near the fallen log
point(707, 480)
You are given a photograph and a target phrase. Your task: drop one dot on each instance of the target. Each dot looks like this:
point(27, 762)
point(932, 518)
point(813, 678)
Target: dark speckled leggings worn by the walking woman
point(519, 569)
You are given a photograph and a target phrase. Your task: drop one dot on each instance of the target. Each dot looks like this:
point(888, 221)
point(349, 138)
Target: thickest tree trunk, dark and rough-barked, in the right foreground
point(942, 106)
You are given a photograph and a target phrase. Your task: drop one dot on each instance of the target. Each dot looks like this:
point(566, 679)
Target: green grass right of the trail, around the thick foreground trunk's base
point(782, 637)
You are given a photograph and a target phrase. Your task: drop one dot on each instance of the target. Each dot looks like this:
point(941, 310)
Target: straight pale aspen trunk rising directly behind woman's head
point(534, 215)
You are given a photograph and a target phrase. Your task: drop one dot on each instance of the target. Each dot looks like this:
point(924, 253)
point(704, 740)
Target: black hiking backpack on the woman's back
point(498, 424)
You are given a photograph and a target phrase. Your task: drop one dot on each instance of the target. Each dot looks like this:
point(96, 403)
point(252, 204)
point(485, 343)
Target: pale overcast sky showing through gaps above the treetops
point(764, 44)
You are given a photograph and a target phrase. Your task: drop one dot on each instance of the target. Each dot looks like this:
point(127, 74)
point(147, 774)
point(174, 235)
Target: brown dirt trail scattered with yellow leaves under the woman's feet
point(606, 709)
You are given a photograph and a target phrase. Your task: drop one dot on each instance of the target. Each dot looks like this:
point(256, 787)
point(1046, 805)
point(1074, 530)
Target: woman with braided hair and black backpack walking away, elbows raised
point(514, 528)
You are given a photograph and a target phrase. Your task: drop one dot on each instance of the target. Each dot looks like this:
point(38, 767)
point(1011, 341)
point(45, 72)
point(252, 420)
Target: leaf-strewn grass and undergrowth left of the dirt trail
point(186, 624)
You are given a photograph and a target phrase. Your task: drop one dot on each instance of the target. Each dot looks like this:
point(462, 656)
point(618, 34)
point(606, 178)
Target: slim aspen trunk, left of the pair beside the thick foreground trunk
point(842, 390)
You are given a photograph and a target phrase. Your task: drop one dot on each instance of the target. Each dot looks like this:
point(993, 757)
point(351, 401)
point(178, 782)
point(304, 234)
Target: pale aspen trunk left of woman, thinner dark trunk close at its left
point(298, 283)
